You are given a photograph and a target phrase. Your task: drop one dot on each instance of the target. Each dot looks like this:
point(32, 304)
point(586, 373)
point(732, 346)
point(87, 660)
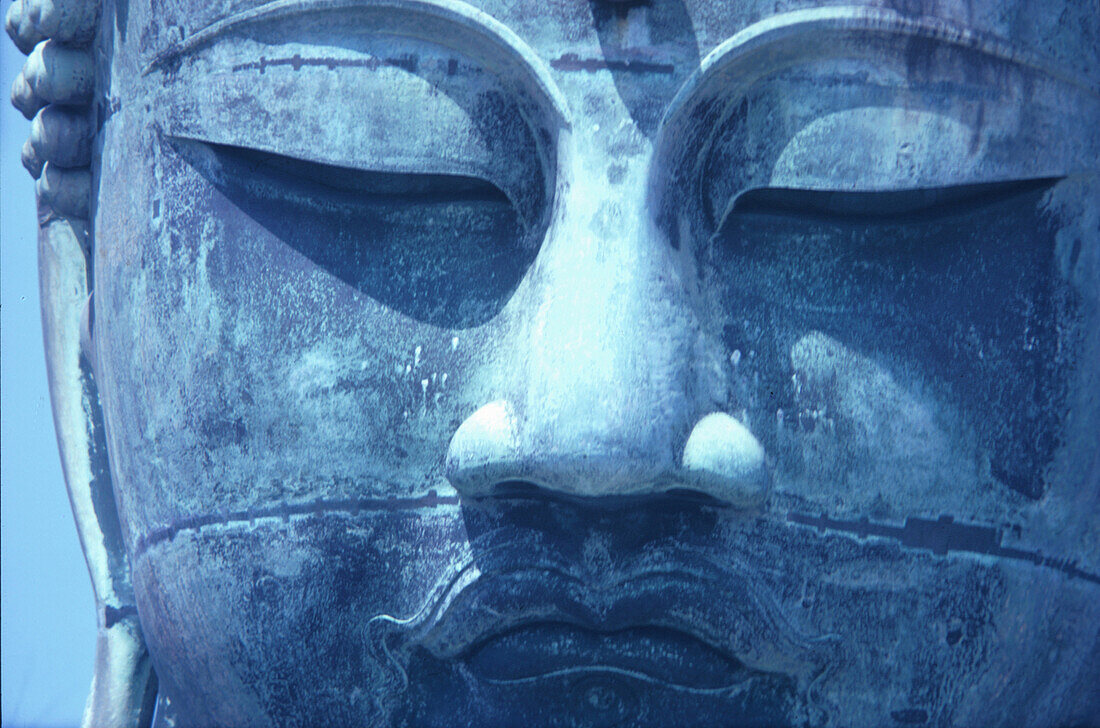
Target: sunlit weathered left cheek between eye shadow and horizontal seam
point(240, 373)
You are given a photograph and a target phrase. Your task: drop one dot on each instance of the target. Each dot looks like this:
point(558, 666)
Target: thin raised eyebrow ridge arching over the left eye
point(481, 30)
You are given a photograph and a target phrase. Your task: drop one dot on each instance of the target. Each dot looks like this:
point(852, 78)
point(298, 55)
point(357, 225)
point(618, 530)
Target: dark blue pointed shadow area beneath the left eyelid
point(448, 250)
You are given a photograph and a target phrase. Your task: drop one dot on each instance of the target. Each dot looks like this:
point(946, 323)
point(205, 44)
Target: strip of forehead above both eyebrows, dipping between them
point(662, 38)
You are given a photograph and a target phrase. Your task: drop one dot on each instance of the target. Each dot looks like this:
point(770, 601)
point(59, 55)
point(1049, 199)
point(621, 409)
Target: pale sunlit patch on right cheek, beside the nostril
point(870, 442)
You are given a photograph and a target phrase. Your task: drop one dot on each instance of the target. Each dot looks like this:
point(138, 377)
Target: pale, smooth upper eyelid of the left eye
point(419, 131)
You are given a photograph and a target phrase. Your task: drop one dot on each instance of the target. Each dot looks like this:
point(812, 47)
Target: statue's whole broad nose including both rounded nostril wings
point(607, 390)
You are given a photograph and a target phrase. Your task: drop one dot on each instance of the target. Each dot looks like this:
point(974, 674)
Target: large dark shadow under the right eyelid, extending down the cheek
point(956, 285)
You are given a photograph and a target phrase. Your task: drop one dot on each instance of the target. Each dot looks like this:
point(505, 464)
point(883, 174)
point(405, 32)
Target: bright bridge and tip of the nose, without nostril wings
point(603, 356)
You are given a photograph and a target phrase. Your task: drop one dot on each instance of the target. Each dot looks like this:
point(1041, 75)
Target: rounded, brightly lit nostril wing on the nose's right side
point(724, 460)
